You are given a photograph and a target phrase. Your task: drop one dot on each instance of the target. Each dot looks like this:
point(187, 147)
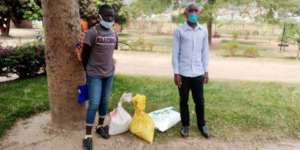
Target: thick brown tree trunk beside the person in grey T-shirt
point(62, 31)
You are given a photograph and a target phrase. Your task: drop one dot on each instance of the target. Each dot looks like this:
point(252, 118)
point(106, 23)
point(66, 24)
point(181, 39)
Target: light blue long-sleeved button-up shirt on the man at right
point(190, 51)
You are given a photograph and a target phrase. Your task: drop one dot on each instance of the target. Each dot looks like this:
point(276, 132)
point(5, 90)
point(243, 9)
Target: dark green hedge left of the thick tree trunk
point(26, 61)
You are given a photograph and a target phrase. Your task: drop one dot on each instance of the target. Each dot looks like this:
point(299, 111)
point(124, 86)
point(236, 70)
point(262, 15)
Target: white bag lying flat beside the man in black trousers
point(165, 118)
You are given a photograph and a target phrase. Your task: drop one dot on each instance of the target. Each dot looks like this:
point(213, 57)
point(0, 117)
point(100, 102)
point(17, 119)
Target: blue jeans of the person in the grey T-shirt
point(99, 91)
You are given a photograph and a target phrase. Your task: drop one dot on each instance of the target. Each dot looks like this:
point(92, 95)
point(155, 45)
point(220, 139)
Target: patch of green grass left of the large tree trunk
point(21, 99)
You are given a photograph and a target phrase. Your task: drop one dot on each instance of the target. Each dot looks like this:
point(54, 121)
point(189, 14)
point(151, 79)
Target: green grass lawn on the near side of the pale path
point(234, 109)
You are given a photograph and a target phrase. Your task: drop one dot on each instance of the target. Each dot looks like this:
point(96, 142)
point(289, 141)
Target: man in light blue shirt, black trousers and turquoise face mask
point(190, 65)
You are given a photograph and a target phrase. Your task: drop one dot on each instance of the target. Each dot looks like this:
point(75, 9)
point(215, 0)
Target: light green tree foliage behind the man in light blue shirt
point(266, 10)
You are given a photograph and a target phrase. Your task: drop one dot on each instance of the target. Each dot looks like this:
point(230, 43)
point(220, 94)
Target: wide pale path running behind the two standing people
point(158, 64)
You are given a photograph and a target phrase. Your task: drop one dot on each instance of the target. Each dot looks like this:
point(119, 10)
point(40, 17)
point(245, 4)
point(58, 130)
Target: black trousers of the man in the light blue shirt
point(196, 85)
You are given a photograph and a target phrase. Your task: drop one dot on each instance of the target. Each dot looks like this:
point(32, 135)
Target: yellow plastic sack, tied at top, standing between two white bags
point(141, 125)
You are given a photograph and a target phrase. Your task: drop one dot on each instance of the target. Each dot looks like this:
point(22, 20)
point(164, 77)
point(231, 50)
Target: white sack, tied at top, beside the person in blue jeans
point(120, 119)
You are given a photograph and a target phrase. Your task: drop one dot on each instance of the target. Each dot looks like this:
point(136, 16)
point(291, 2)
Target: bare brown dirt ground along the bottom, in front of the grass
point(36, 133)
